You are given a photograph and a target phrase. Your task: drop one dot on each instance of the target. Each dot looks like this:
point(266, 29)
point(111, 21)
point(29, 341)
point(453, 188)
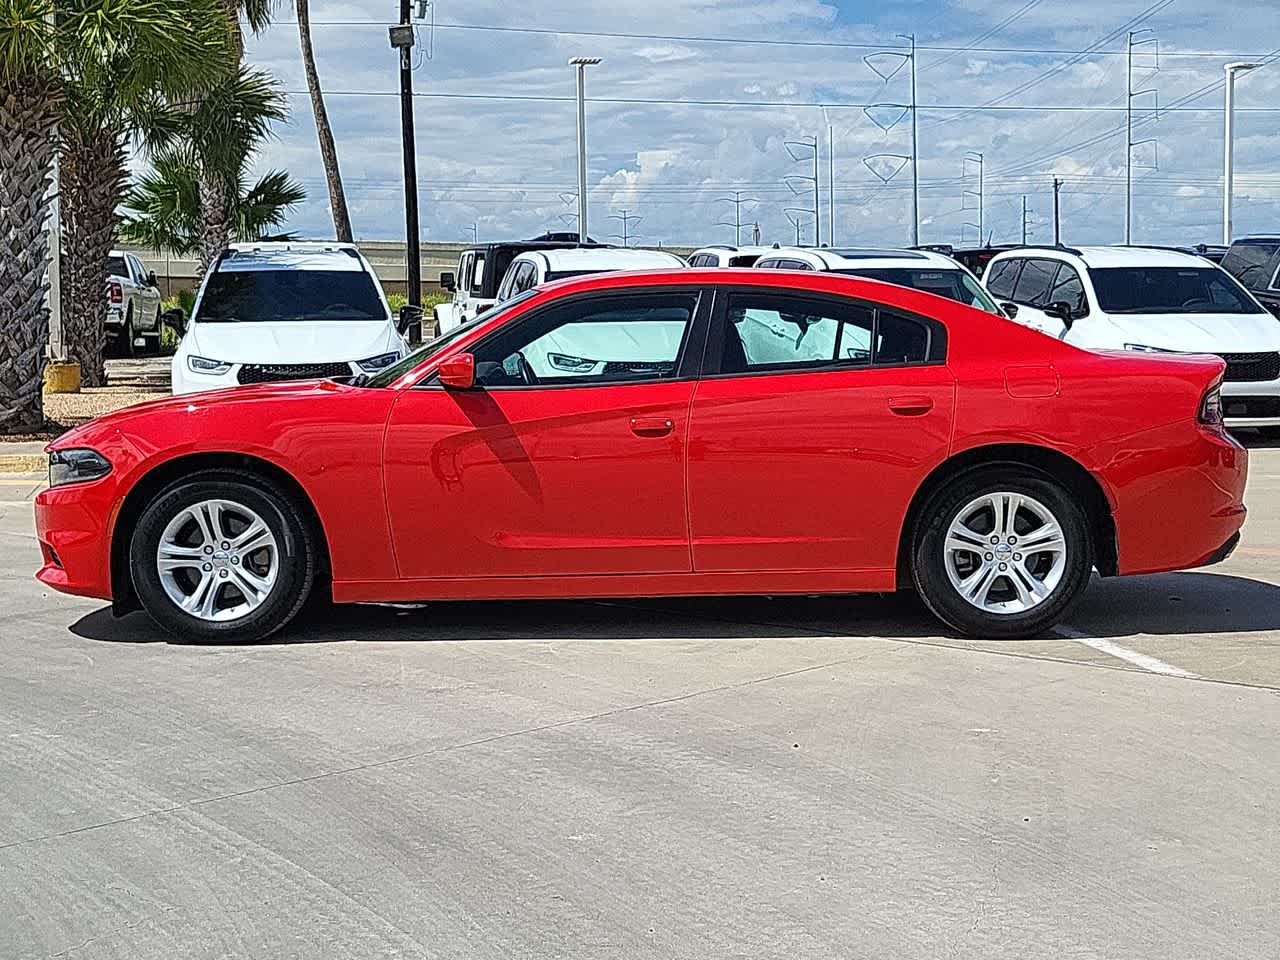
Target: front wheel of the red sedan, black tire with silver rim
point(234, 597)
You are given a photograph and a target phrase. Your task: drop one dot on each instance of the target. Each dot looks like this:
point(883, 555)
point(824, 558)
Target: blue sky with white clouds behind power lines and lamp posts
point(701, 99)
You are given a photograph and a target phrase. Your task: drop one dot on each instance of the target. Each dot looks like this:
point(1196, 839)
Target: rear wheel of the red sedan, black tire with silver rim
point(1008, 604)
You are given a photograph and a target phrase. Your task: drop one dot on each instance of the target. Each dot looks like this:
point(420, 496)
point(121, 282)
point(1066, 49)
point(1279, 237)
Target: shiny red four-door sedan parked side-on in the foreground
point(726, 432)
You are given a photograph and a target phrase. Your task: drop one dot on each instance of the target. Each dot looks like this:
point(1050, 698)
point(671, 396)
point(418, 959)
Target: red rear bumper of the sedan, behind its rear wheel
point(1178, 496)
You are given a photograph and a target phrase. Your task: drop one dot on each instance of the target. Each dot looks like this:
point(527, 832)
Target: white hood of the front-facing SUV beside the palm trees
point(292, 342)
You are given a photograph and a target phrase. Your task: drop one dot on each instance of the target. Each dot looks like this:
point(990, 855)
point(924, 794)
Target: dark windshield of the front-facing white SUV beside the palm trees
point(248, 296)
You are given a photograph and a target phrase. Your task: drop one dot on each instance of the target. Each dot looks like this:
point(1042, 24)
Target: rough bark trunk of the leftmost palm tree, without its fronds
point(29, 116)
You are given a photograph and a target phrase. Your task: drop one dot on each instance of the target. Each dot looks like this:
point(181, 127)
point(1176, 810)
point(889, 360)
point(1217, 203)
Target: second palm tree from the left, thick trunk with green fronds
point(112, 97)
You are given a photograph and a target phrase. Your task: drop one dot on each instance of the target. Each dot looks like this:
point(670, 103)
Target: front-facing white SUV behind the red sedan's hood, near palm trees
point(287, 312)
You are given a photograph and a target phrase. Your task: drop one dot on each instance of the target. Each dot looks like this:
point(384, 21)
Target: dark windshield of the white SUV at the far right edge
point(1169, 290)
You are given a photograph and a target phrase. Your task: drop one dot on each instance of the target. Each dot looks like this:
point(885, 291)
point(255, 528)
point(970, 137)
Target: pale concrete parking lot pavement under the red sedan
point(680, 779)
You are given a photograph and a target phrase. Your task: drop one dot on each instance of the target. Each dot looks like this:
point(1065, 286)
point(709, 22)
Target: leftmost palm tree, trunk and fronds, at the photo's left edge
point(29, 117)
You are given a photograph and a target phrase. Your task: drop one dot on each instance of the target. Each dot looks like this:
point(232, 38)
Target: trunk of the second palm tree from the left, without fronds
point(92, 186)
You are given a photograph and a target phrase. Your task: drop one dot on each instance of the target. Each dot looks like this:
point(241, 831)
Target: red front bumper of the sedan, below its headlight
point(74, 527)
